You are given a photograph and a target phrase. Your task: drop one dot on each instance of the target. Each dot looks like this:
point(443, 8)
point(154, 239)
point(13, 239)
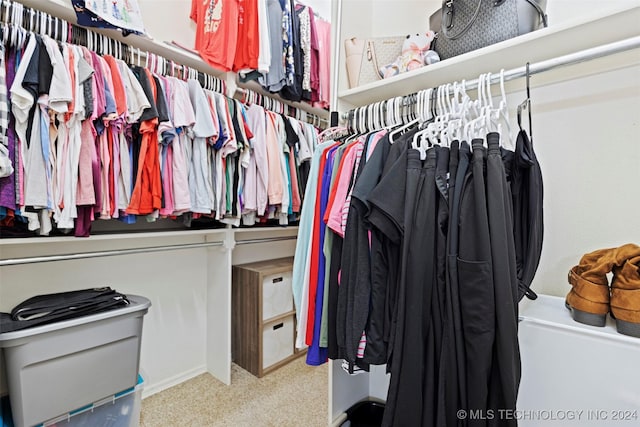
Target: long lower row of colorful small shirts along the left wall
point(91, 138)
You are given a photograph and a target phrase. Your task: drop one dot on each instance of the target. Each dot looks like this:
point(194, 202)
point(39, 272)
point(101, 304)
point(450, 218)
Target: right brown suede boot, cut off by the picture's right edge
point(625, 297)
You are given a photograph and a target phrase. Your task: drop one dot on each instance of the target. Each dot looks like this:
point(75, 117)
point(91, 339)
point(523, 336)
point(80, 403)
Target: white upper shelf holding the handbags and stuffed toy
point(546, 43)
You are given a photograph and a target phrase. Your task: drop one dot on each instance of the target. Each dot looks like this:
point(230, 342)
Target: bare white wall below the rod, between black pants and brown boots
point(586, 136)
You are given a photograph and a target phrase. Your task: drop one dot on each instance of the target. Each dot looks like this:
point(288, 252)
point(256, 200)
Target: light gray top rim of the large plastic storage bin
point(138, 304)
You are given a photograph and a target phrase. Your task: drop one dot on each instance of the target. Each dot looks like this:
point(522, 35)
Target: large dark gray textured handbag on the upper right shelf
point(466, 25)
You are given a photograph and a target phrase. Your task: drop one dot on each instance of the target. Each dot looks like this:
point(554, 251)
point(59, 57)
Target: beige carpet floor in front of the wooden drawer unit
point(293, 395)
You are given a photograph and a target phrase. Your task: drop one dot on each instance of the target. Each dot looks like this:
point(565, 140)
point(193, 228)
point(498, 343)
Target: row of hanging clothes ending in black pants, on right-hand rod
point(418, 263)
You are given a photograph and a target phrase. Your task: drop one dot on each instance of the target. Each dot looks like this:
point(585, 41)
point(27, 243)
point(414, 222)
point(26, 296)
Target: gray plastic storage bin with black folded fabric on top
point(56, 368)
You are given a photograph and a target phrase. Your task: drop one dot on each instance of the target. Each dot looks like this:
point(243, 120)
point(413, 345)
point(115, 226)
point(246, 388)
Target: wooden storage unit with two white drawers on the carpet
point(264, 317)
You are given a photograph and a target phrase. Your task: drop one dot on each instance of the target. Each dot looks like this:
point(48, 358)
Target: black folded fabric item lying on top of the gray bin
point(44, 309)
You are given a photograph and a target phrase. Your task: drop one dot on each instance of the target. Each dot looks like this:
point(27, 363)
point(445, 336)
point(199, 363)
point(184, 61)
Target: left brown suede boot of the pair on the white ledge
point(589, 297)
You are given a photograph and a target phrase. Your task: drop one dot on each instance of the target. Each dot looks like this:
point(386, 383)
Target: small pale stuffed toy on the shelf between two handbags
point(415, 54)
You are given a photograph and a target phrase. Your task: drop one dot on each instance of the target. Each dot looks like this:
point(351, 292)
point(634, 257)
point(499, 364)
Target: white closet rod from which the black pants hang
point(557, 62)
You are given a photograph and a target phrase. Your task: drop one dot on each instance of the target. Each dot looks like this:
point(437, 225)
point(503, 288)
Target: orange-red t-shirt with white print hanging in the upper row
point(216, 31)
